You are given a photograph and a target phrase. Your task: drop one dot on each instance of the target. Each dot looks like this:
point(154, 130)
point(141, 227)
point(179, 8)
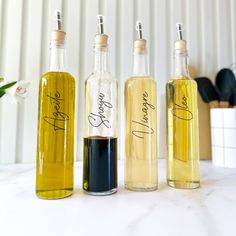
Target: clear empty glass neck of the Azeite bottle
point(57, 59)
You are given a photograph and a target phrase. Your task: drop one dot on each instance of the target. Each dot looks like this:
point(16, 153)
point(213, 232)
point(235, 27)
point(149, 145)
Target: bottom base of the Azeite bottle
point(54, 194)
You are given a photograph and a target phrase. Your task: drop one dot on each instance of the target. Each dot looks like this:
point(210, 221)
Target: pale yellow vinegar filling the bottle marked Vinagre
point(141, 134)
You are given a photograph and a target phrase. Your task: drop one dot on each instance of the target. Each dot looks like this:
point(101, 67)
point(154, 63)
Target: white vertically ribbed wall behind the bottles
point(25, 28)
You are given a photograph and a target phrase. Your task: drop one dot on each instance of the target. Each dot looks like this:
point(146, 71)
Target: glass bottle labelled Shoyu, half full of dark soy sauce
point(100, 141)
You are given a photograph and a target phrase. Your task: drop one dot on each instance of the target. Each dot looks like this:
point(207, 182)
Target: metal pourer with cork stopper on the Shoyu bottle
point(101, 38)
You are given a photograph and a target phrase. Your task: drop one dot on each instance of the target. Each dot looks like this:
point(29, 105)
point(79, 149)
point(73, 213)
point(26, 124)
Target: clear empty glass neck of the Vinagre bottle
point(140, 66)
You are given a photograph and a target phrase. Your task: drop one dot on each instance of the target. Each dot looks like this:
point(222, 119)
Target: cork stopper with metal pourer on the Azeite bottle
point(58, 35)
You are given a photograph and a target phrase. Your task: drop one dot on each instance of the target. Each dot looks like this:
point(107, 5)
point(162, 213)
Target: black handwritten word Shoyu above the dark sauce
point(96, 120)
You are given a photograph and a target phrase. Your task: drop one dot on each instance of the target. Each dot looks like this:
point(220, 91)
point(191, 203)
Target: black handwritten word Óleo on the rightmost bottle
point(181, 111)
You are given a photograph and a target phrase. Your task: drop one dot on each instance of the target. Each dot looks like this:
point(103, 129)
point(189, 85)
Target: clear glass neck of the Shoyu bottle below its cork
point(101, 60)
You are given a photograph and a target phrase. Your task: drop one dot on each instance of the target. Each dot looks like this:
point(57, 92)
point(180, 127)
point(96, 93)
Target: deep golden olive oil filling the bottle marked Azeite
point(55, 149)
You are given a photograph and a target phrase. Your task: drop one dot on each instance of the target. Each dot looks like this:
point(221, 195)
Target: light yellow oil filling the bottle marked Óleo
point(182, 134)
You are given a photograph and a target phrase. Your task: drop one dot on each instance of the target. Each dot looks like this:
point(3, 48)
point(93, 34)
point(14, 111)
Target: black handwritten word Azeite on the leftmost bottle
point(58, 118)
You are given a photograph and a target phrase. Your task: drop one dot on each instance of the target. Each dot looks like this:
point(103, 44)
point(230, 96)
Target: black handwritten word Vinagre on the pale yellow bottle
point(142, 127)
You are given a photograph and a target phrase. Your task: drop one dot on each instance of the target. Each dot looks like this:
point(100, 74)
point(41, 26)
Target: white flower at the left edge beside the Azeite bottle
point(18, 91)
